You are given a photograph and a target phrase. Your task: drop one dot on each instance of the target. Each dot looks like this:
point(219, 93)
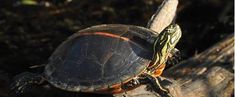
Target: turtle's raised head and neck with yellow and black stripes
point(164, 43)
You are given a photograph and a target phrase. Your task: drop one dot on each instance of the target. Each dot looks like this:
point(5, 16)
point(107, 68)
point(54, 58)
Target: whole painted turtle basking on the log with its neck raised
point(106, 59)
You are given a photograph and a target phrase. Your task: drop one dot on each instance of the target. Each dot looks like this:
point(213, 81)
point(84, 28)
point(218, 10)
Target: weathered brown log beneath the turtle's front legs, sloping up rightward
point(208, 74)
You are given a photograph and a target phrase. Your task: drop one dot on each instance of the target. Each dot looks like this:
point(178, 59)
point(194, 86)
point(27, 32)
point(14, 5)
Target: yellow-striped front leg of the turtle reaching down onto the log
point(156, 86)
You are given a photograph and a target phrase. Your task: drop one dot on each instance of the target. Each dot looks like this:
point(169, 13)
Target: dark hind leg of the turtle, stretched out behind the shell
point(23, 82)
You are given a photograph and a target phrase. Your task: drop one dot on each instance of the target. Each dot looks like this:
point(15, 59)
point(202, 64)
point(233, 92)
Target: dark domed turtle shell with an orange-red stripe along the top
point(99, 57)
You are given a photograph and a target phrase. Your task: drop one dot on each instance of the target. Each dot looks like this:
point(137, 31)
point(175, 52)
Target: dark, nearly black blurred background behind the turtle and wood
point(30, 30)
